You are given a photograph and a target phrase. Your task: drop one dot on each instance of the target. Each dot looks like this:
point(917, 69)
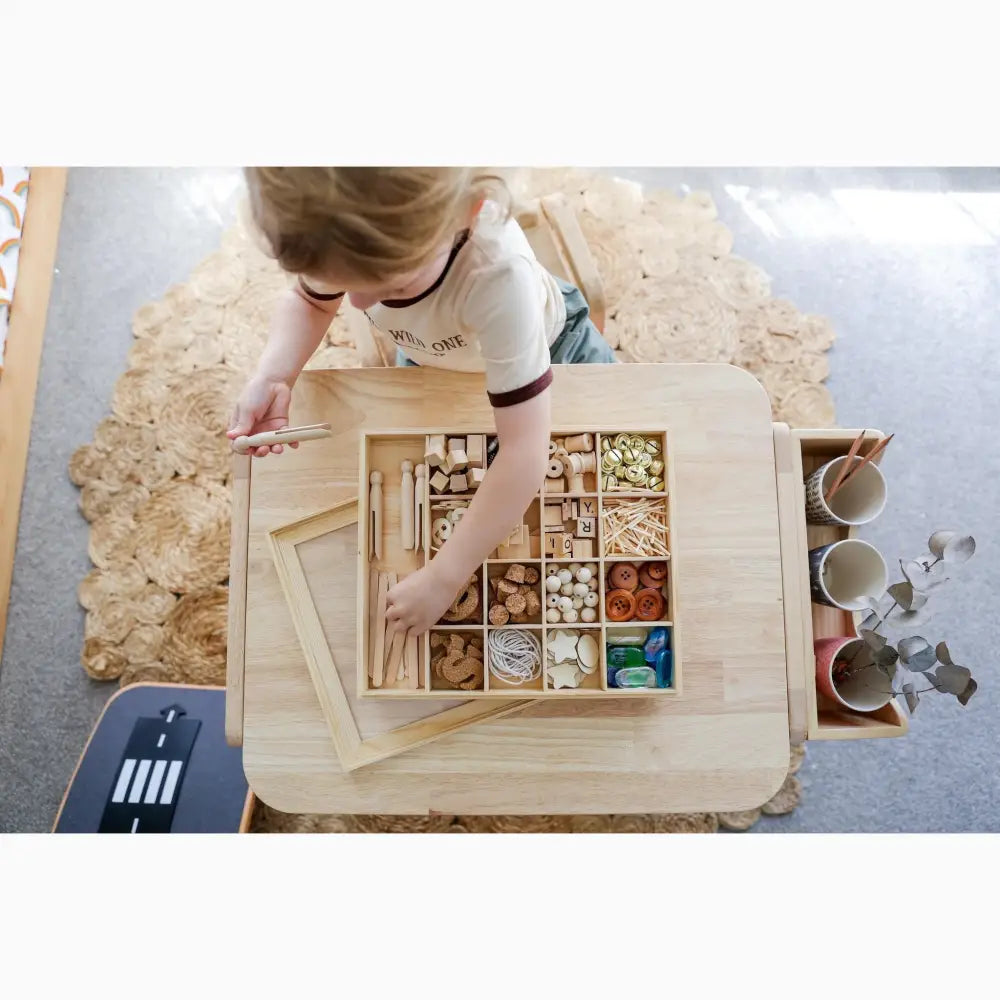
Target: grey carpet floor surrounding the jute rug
point(912, 283)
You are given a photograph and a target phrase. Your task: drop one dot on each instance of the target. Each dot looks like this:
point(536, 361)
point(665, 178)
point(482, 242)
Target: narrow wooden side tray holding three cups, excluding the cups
point(811, 715)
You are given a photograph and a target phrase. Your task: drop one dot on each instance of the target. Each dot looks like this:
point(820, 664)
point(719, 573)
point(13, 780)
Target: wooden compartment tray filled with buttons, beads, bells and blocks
point(570, 527)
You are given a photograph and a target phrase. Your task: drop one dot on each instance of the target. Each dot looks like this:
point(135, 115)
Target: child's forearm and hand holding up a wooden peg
point(297, 328)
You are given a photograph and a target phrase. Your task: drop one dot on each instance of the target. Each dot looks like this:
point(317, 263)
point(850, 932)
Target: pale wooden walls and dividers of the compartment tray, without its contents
point(385, 451)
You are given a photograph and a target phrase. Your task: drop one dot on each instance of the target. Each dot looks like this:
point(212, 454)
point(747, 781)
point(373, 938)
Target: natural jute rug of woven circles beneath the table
point(154, 482)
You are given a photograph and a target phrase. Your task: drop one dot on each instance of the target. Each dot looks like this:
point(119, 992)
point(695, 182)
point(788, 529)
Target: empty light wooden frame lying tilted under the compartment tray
point(353, 750)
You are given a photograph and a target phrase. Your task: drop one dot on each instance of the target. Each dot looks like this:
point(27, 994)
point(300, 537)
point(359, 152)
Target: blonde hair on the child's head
point(373, 222)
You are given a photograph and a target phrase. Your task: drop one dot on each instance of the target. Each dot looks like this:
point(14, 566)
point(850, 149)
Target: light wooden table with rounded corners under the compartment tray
point(722, 745)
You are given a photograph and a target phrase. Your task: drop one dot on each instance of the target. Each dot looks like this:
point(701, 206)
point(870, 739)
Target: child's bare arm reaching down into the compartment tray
point(510, 484)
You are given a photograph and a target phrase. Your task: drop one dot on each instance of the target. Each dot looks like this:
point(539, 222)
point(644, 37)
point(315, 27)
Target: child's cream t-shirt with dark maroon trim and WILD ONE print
point(493, 309)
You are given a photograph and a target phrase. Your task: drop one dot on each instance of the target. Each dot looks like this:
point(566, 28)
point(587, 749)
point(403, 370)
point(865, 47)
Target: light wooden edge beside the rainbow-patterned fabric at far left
point(21, 364)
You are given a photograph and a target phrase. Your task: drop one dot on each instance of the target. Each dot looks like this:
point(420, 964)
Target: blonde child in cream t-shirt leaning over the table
point(434, 259)
